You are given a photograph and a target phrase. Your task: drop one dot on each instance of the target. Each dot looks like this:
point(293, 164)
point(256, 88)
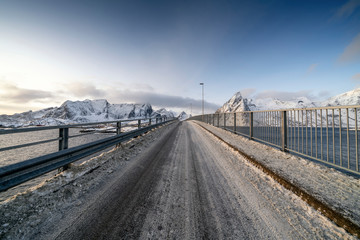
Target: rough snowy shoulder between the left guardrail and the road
point(35, 211)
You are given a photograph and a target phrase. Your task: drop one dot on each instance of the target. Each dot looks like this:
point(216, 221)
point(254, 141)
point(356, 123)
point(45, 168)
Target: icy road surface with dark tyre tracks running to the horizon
point(184, 184)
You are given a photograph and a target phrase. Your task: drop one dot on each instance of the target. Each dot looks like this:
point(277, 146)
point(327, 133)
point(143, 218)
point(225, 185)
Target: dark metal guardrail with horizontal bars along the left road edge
point(15, 174)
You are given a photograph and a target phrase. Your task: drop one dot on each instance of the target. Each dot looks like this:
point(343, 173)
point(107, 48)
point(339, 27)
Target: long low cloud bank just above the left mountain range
point(15, 99)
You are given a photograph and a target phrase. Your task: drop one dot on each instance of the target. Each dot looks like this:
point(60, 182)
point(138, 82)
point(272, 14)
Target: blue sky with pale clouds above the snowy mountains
point(159, 51)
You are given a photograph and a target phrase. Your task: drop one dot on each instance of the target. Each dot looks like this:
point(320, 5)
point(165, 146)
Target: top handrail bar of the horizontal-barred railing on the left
point(41, 128)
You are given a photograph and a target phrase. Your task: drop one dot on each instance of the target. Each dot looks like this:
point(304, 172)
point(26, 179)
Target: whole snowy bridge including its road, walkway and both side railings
point(215, 176)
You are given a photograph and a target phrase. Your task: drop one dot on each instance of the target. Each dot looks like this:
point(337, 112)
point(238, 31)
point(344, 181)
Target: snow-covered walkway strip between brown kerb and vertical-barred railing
point(338, 190)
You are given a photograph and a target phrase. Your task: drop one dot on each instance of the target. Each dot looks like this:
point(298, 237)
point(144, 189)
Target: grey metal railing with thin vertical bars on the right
point(326, 134)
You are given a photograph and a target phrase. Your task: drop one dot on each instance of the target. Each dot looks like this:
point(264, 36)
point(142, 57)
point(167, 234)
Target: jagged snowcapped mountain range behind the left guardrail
point(82, 112)
